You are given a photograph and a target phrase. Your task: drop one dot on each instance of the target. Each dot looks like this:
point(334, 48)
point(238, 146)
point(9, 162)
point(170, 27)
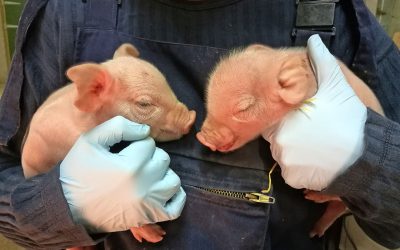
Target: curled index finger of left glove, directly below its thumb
point(138, 153)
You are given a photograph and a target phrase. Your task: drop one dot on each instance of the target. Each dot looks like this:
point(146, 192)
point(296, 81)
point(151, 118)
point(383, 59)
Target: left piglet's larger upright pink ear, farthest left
point(93, 83)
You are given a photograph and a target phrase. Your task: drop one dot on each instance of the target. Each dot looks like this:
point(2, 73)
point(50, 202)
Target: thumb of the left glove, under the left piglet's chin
point(117, 129)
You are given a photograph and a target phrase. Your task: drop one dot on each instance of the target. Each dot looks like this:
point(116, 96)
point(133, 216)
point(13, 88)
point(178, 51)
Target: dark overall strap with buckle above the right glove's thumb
point(314, 17)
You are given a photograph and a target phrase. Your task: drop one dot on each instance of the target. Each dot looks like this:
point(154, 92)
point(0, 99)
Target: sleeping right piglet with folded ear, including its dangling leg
point(252, 89)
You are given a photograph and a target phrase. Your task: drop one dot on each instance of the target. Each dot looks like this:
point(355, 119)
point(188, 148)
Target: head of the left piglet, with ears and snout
point(133, 88)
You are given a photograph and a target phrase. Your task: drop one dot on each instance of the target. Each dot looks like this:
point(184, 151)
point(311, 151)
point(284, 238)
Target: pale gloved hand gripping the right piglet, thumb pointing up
point(319, 141)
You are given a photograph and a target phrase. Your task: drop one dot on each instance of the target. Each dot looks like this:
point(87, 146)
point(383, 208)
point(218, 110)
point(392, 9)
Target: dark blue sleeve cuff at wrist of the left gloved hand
point(41, 209)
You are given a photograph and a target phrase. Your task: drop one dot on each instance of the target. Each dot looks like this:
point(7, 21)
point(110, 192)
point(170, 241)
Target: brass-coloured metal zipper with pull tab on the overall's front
point(259, 197)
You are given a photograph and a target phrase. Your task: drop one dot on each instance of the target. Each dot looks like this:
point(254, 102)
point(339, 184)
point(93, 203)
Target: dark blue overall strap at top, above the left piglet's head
point(101, 14)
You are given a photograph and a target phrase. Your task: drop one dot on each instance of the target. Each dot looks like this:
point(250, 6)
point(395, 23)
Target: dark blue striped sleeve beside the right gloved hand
point(370, 187)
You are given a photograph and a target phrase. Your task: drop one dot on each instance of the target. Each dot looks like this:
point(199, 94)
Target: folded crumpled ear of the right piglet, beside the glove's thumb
point(296, 80)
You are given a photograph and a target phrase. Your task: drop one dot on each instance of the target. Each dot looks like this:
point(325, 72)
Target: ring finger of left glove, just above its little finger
point(166, 188)
